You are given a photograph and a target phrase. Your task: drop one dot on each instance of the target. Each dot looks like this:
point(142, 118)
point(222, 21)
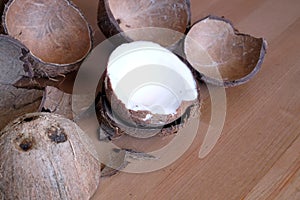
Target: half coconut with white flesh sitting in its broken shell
point(147, 88)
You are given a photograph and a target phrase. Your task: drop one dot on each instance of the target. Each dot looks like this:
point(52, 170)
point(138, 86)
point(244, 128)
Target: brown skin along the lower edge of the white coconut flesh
point(136, 118)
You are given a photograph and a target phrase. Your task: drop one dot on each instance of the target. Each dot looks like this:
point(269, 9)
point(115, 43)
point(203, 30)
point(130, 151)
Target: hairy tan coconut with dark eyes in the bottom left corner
point(45, 156)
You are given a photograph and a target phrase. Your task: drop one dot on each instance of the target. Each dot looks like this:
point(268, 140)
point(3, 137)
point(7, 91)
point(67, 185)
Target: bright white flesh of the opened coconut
point(147, 76)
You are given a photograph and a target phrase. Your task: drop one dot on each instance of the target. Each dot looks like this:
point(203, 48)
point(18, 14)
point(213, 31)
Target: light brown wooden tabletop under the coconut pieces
point(258, 155)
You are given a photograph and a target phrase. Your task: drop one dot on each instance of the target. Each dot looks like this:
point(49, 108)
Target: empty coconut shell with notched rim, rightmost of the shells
point(222, 55)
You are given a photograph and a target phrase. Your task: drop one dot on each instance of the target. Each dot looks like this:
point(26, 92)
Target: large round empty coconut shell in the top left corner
point(56, 34)
